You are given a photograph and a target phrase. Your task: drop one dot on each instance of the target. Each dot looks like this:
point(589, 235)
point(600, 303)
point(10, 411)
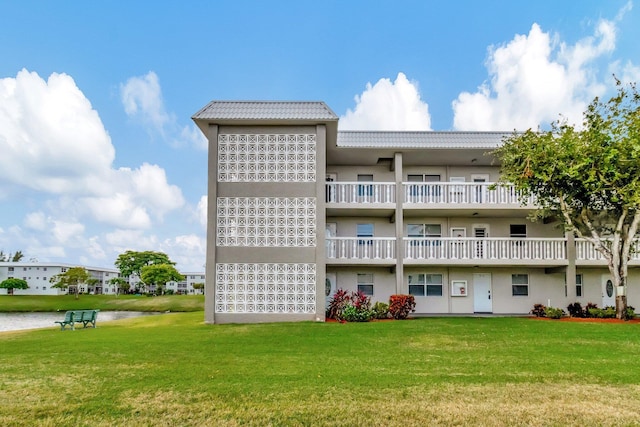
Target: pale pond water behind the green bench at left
point(20, 321)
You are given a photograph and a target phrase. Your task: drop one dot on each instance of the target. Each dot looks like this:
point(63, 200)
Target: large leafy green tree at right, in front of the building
point(586, 176)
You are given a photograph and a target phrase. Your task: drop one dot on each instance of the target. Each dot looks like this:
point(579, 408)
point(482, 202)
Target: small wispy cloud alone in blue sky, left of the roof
point(142, 98)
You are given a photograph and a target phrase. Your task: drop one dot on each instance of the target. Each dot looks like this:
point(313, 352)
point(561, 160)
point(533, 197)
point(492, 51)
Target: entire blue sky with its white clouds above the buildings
point(98, 151)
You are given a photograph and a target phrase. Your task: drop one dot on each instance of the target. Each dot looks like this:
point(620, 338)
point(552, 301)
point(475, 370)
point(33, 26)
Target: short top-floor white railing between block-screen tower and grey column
point(360, 192)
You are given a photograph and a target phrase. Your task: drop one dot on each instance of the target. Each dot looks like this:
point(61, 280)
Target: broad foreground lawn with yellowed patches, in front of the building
point(175, 370)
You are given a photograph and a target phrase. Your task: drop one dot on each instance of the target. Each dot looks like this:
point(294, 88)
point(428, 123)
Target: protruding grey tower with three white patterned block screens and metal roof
point(265, 255)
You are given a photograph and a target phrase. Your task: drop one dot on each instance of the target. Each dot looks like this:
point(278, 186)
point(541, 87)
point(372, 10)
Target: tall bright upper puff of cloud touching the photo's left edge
point(52, 139)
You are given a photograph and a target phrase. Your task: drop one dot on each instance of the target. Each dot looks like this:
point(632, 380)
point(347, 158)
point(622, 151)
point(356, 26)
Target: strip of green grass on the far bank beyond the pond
point(33, 303)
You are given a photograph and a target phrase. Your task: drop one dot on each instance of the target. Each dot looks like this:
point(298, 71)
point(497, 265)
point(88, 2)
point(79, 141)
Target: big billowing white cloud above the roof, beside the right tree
point(533, 79)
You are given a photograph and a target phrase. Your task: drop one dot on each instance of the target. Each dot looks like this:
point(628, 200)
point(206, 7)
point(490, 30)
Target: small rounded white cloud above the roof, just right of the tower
point(388, 105)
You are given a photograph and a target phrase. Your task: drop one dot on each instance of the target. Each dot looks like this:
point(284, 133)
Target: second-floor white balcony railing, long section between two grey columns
point(445, 248)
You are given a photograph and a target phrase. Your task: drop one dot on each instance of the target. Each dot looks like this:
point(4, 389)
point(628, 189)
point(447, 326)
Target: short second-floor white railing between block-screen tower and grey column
point(364, 248)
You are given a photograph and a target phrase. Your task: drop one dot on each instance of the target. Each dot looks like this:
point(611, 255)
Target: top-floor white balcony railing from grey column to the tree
point(460, 193)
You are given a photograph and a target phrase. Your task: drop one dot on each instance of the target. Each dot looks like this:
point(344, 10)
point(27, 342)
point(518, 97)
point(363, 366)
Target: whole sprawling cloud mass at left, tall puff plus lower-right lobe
point(55, 144)
